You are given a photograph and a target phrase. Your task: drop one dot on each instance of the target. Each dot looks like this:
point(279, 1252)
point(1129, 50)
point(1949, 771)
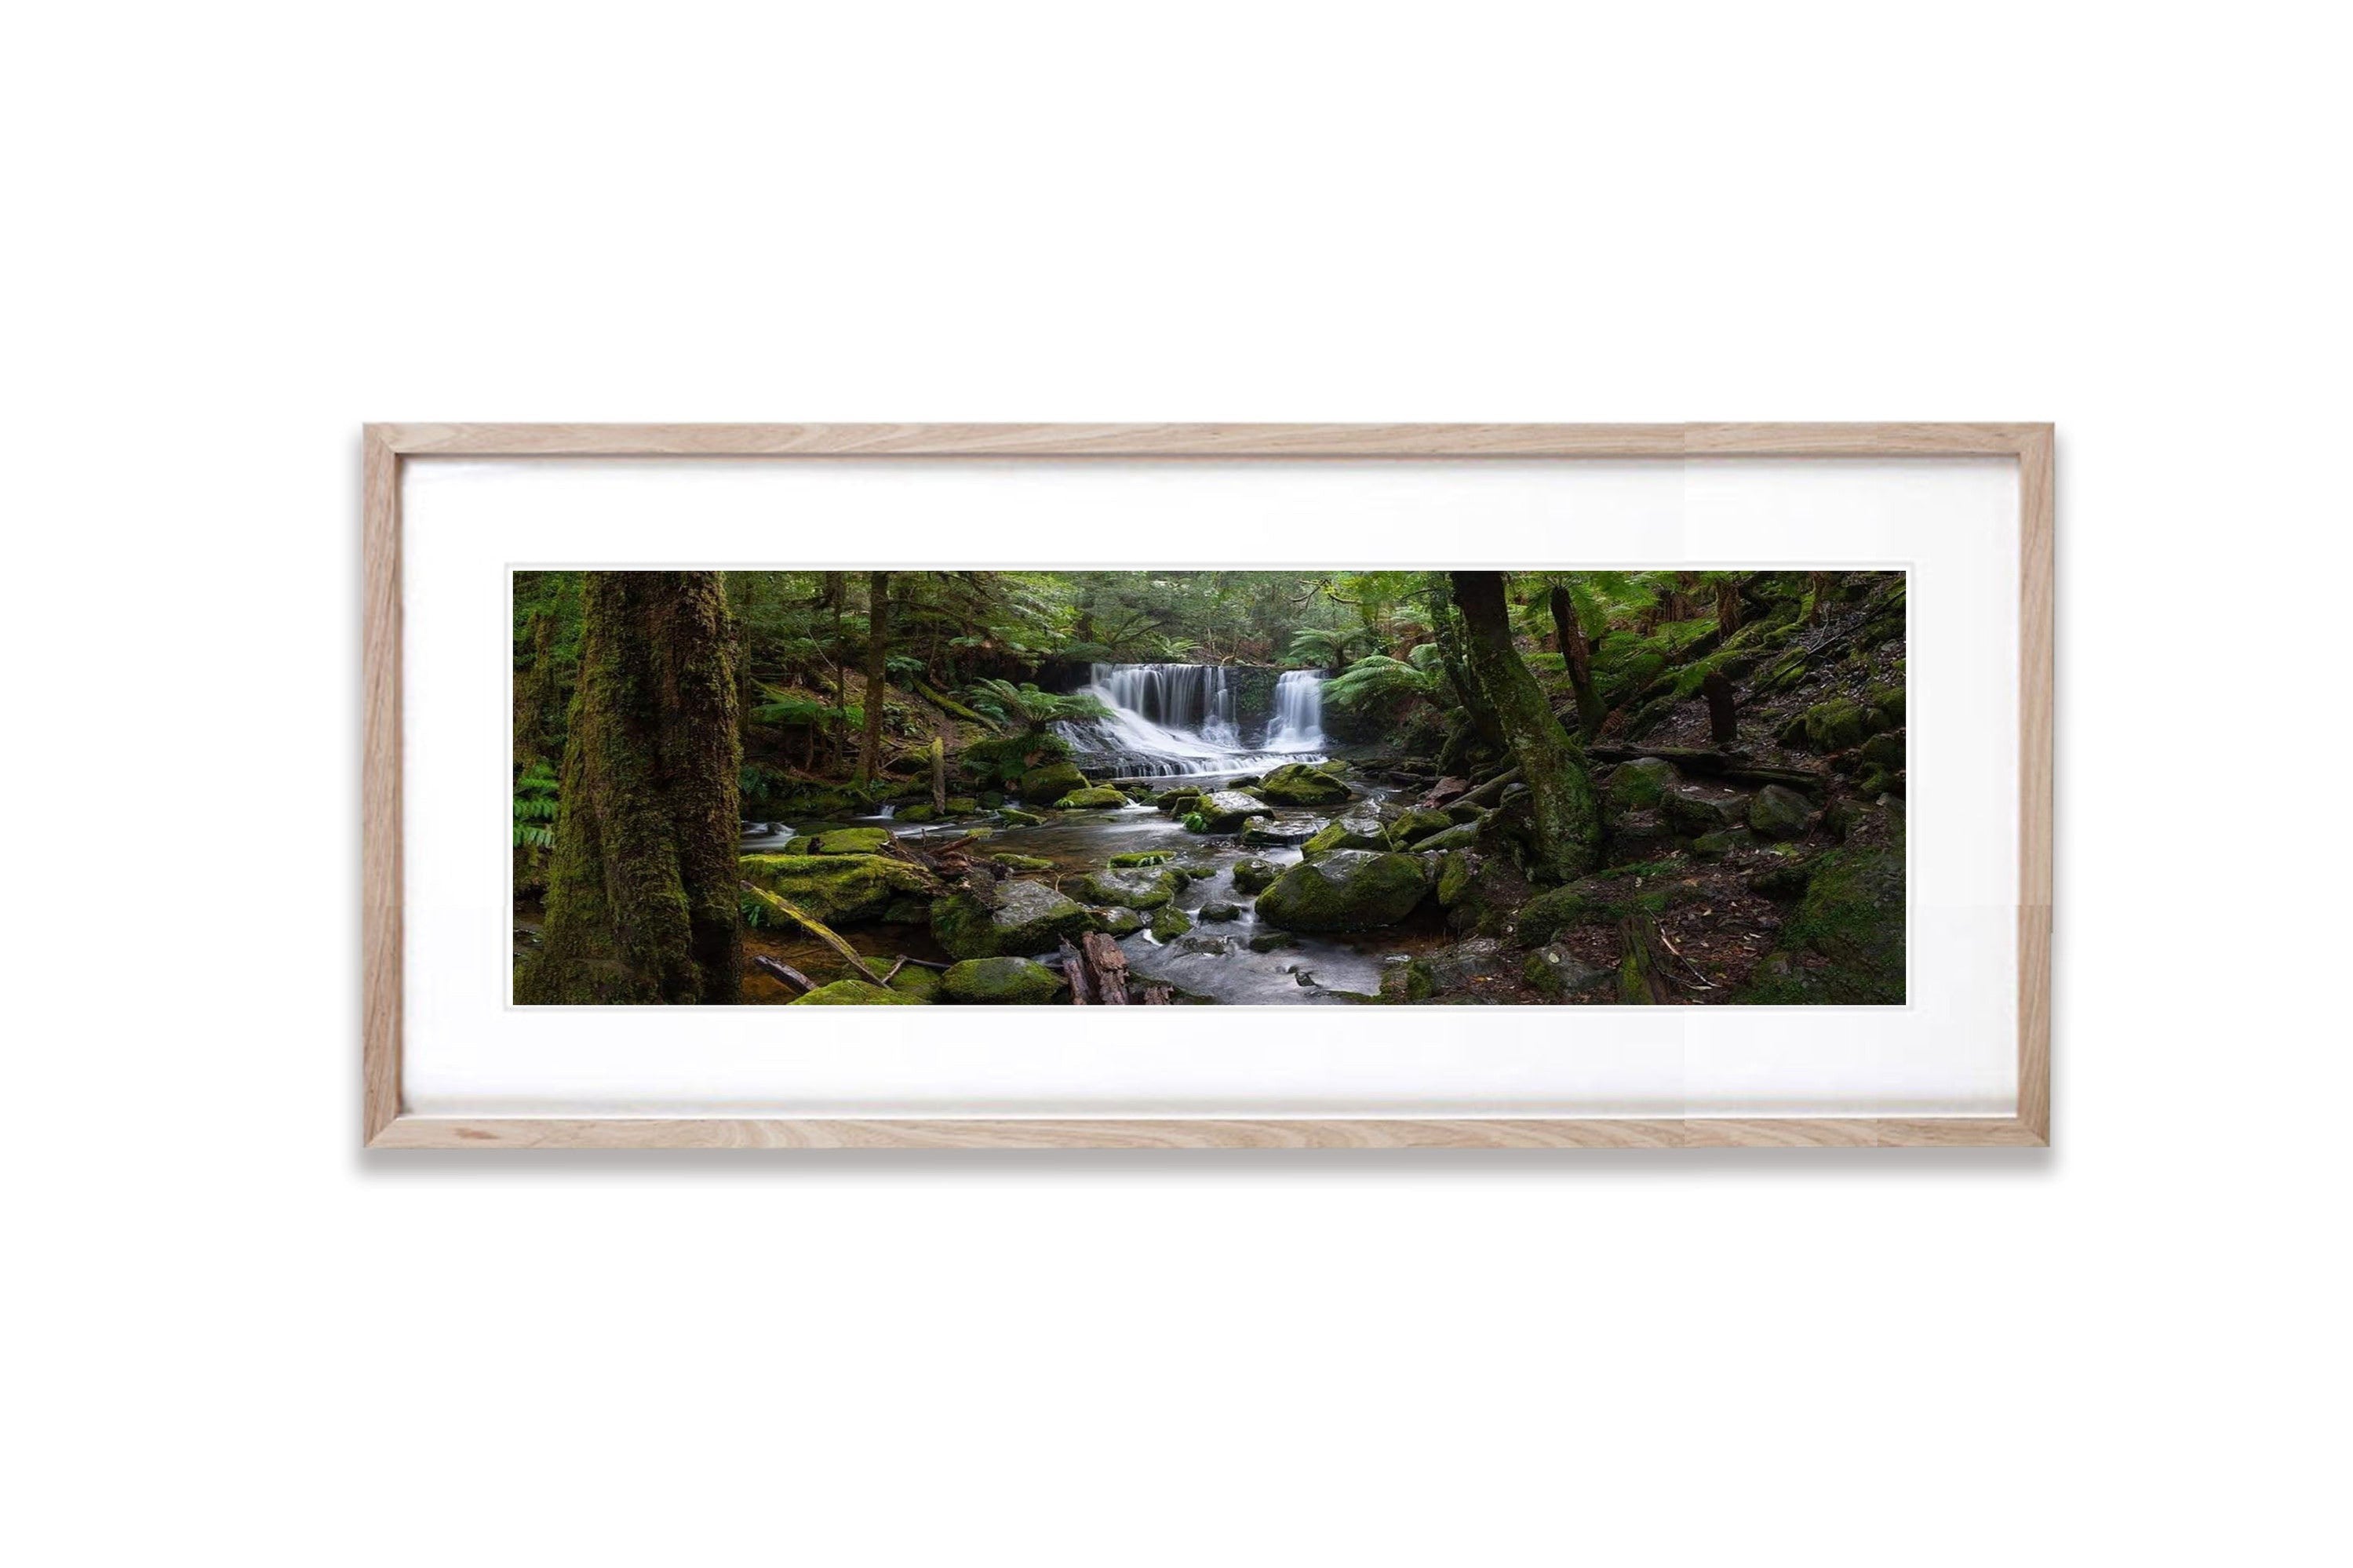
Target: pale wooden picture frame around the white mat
point(389, 445)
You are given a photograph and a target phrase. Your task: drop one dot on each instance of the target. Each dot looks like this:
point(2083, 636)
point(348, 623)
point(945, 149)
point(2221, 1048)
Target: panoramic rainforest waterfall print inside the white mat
point(1208, 786)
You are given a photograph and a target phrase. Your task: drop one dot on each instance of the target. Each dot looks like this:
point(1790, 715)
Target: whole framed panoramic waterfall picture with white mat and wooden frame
point(1208, 786)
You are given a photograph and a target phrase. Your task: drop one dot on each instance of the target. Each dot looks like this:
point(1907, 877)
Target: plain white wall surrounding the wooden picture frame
point(239, 232)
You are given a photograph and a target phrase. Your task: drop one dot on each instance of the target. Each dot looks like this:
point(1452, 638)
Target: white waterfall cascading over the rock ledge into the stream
point(1182, 721)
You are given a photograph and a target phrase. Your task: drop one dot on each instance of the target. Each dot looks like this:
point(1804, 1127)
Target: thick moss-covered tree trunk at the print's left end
point(644, 885)
